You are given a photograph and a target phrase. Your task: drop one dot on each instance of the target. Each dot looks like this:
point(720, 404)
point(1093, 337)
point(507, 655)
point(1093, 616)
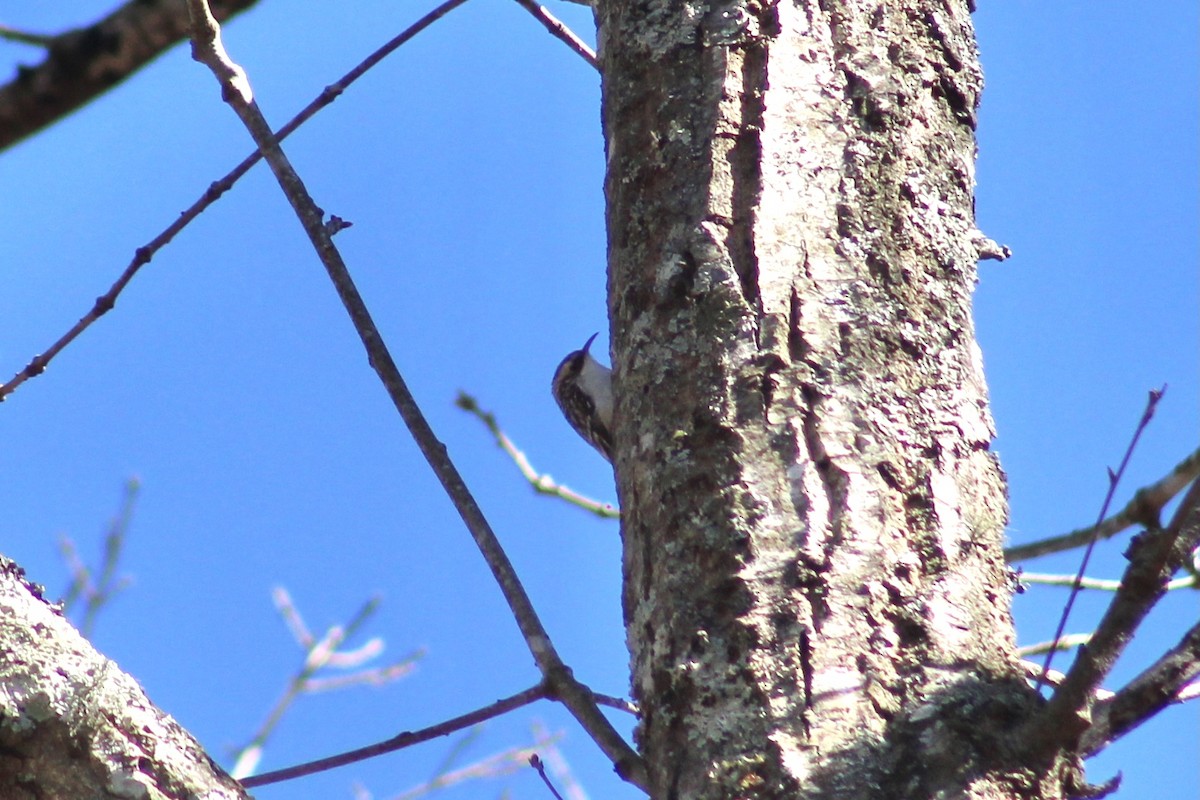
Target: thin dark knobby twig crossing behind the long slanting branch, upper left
point(143, 255)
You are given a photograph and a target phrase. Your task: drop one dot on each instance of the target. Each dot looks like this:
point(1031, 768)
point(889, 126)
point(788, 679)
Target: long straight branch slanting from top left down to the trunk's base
point(575, 696)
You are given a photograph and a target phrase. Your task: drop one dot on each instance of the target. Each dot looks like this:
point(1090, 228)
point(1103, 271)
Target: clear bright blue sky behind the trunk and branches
point(471, 164)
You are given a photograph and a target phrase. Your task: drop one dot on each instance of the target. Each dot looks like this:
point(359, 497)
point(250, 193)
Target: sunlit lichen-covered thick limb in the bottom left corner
point(73, 725)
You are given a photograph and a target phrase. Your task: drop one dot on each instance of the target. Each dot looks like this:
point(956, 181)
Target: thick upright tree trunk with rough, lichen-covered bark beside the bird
point(815, 594)
